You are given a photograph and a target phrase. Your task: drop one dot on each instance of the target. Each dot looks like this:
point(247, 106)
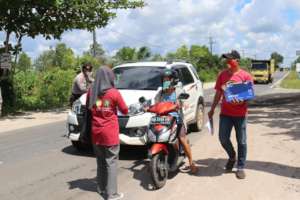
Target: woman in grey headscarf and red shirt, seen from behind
point(103, 102)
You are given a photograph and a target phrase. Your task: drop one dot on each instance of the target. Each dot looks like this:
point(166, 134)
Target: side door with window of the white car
point(190, 87)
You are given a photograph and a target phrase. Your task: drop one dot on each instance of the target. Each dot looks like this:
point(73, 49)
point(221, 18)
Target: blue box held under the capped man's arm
point(240, 91)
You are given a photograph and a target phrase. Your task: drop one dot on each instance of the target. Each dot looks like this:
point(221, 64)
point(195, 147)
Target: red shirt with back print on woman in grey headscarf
point(105, 125)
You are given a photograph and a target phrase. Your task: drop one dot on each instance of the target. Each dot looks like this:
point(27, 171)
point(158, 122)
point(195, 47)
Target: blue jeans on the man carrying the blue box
point(239, 124)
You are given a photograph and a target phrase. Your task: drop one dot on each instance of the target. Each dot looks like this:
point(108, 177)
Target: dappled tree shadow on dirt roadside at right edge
point(277, 111)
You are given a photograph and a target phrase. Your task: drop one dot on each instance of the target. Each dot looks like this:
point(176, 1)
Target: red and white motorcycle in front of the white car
point(165, 152)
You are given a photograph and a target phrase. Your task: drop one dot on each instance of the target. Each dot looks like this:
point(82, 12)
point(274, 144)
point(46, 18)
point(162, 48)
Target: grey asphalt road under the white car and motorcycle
point(40, 163)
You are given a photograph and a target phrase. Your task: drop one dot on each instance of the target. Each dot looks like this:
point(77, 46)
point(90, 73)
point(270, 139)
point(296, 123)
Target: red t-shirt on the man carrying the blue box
point(230, 109)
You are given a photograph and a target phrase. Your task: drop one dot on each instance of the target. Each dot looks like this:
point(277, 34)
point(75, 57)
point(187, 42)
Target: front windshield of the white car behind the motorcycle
point(138, 78)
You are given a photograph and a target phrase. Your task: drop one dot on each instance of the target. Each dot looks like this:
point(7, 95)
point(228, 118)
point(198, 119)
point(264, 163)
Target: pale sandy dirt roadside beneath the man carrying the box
point(273, 162)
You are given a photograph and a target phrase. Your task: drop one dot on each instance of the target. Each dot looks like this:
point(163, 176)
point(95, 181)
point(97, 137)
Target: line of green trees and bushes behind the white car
point(46, 82)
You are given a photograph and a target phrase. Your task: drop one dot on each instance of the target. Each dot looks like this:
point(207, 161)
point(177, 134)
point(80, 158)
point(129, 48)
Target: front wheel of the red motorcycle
point(159, 170)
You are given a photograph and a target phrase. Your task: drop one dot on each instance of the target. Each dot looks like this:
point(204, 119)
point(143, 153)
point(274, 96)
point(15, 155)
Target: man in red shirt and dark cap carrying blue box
point(233, 114)
